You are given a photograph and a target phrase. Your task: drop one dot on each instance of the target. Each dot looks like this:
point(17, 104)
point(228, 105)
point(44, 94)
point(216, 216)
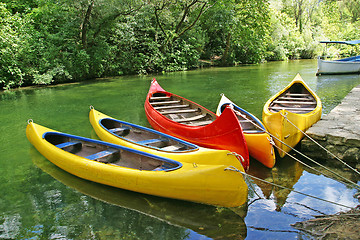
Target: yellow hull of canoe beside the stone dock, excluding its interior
point(281, 124)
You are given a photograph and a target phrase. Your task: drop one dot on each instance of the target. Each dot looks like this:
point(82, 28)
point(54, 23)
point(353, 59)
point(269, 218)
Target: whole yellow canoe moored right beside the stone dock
point(297, 103)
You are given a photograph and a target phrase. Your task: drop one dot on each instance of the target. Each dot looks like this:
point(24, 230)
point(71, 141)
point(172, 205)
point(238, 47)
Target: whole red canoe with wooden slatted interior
point(182, 118)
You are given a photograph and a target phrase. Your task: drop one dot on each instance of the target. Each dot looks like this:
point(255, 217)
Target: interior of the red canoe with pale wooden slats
point(180, 110)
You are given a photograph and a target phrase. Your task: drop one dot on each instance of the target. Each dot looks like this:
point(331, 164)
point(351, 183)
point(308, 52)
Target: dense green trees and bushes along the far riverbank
point(49, 42)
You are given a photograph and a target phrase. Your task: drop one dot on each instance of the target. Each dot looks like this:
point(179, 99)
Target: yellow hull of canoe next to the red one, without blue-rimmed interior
point(199, 156)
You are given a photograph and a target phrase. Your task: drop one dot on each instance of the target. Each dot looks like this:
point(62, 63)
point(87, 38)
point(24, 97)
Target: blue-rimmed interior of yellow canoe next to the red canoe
point(144, 137)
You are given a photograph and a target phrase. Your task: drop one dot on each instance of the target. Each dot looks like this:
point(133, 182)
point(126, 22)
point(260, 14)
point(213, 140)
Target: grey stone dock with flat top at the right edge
point(338, 132)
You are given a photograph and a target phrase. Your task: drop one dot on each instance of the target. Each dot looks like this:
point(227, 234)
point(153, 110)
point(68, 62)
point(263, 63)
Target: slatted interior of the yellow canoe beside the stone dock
point(296, 99)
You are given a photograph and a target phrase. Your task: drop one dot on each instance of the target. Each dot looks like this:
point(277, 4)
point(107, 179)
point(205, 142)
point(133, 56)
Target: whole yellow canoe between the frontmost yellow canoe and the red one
point(148, 140)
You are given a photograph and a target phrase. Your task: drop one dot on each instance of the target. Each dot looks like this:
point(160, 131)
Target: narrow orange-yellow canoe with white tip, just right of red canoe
point(258, 141)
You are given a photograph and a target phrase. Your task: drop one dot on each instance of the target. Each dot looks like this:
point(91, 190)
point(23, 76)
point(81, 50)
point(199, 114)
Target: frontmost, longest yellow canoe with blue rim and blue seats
point(138, 171)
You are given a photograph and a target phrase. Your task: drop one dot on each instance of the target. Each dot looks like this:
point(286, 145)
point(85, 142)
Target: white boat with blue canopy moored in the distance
point(349, 65)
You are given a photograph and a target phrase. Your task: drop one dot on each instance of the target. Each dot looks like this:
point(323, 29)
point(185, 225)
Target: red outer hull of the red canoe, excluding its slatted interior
point(223, 133)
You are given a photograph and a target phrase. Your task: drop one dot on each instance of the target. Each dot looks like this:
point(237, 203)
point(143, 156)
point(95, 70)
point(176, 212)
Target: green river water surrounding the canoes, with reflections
point(40, 201)
